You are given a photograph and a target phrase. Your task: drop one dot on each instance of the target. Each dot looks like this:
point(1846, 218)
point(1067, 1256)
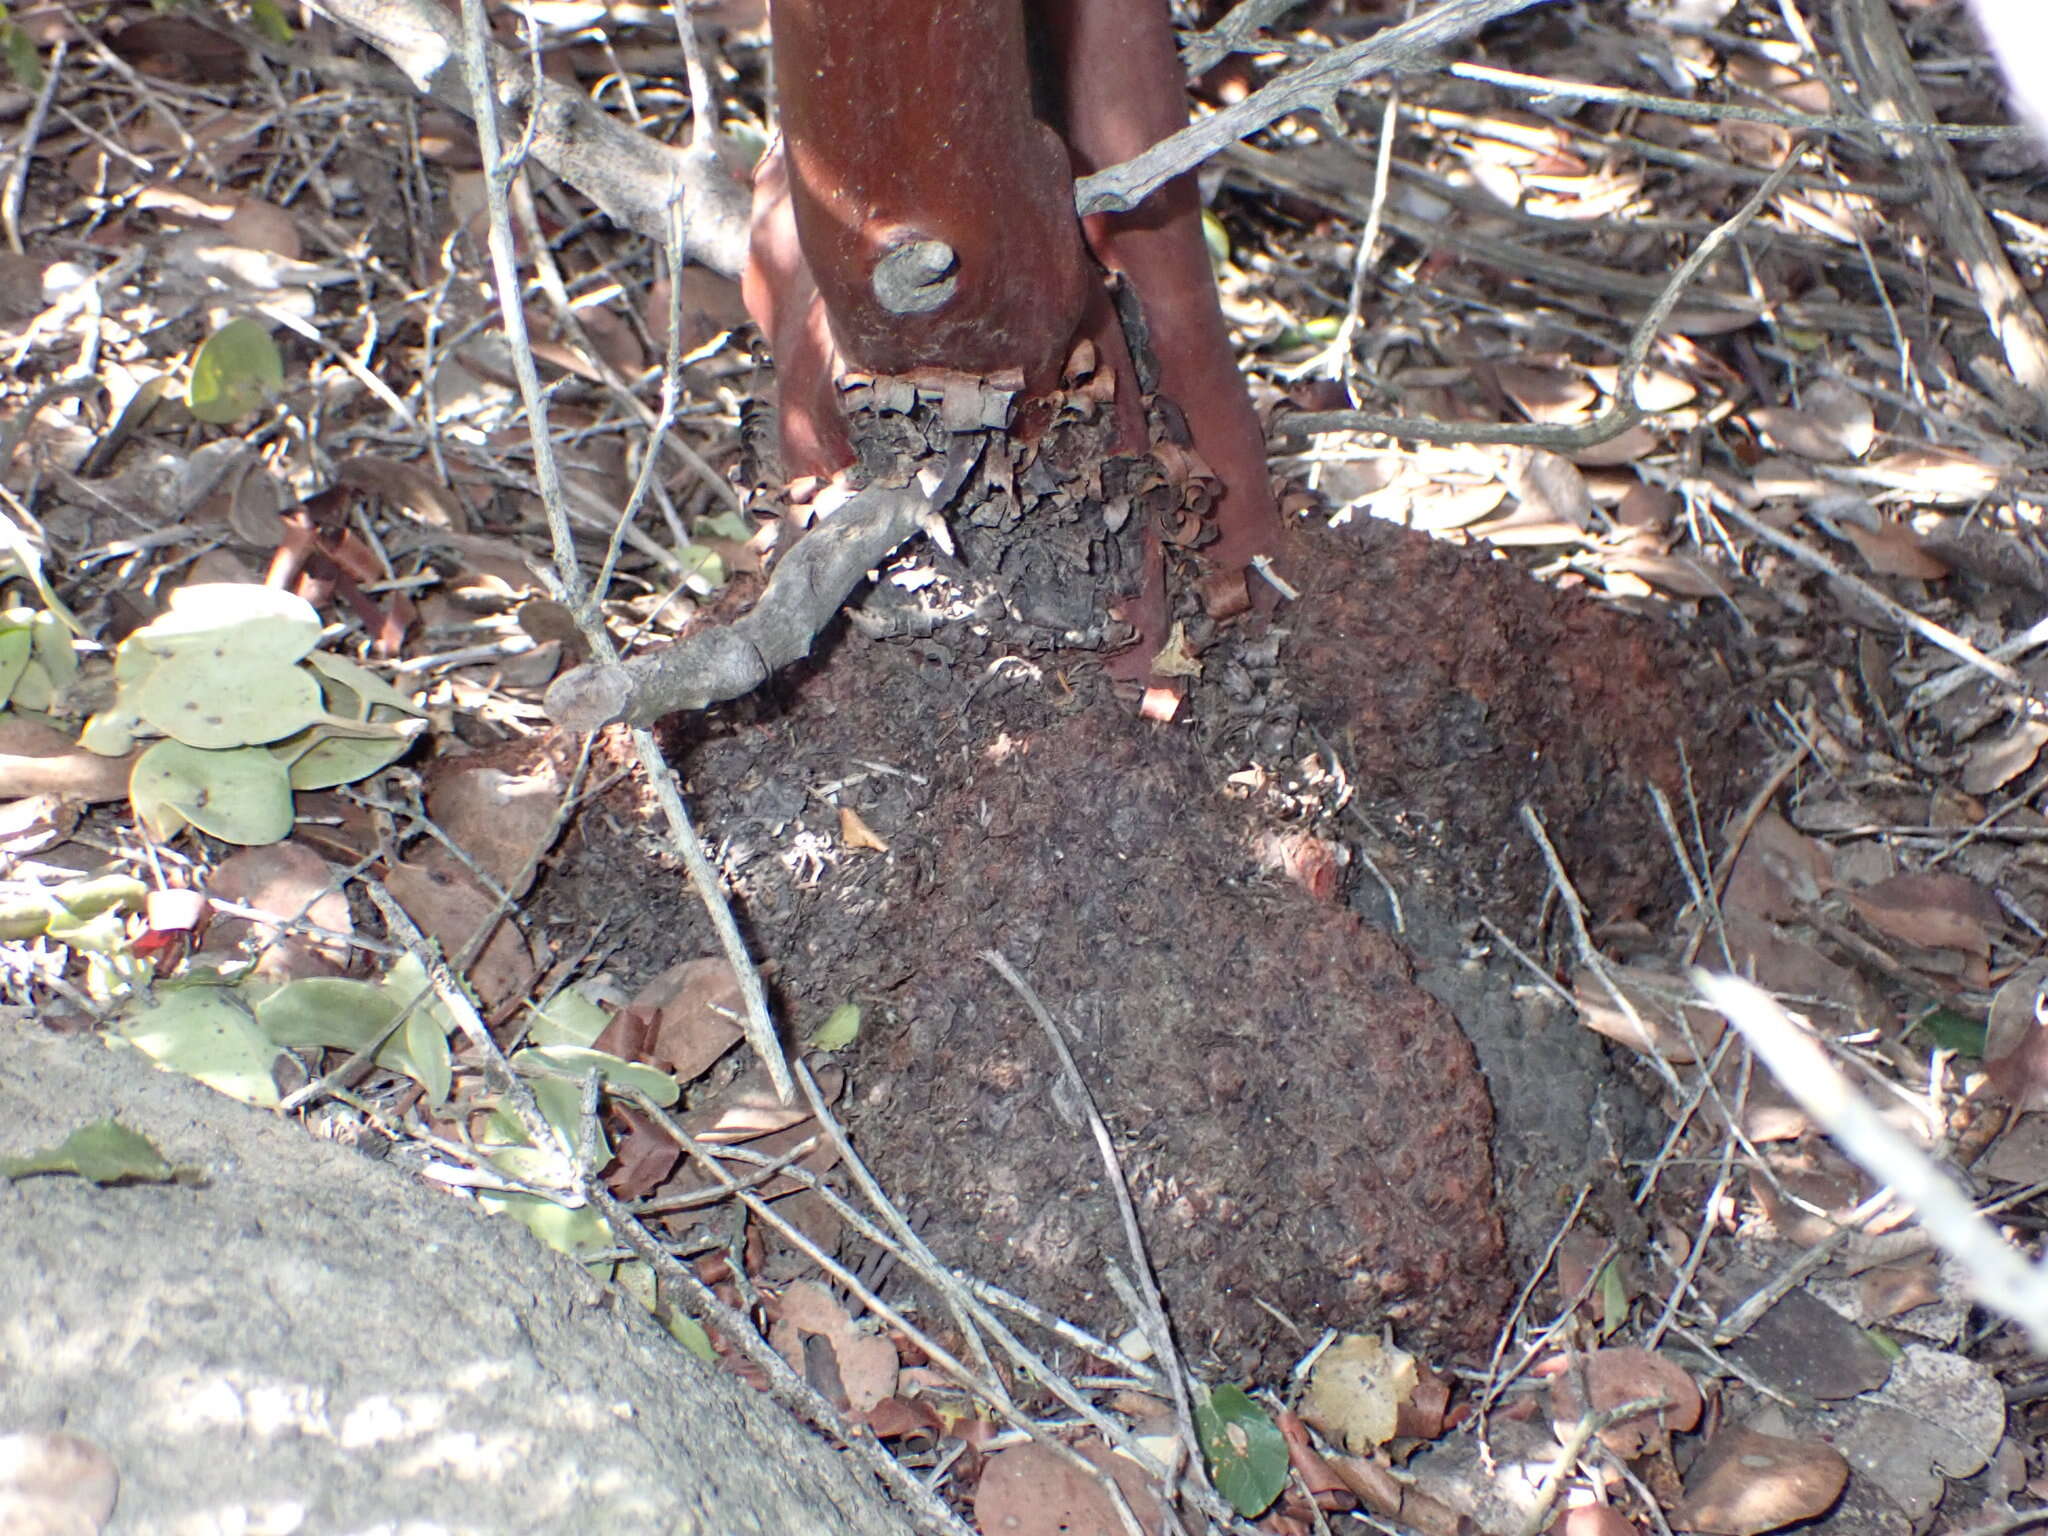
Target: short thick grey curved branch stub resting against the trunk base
point(714, 665)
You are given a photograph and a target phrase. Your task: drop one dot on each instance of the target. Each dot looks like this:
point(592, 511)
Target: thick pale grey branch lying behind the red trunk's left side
point(626, 173)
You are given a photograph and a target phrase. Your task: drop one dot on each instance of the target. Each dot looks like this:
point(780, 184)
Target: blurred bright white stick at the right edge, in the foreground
point(1998, 1275)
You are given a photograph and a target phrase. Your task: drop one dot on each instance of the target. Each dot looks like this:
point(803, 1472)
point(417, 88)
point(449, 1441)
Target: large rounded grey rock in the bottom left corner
point(308, 1330)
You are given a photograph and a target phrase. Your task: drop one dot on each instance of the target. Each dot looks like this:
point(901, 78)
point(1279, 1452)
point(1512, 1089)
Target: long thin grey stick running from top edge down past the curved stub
point(478, 71)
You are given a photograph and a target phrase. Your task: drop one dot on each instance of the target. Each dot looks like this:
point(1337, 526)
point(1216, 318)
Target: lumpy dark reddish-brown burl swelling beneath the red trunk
point(1304, 1125)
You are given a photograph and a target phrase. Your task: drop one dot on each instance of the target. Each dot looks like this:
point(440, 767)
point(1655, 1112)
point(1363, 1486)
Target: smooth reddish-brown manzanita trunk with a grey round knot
point(919, 214)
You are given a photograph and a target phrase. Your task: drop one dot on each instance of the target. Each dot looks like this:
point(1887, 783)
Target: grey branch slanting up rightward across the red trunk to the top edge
point(1123, 187)
